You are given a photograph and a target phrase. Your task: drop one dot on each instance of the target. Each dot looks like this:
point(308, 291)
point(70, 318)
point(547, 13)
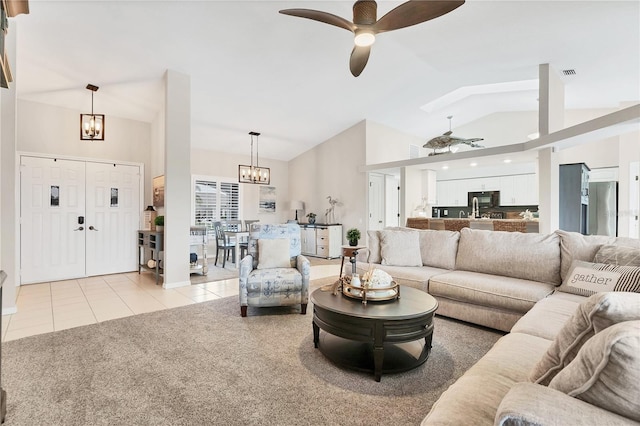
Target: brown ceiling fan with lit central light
point(365, 24)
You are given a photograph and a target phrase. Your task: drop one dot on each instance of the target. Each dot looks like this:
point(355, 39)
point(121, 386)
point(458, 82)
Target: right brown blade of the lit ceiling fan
point(414, 12)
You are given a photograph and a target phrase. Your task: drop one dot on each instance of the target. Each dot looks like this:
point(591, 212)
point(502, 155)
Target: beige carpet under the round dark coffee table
point(204, 364)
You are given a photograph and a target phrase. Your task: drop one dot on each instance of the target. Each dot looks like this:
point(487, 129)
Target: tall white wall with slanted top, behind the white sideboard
point(331, 169)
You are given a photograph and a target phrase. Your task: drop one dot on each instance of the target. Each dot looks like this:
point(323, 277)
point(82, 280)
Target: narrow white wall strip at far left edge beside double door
point(9, 198)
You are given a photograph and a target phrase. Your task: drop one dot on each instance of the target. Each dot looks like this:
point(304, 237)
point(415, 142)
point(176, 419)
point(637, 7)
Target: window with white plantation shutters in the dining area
point(215, 200)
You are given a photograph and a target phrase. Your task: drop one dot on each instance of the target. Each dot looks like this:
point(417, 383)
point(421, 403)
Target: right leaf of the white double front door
point(113, 216)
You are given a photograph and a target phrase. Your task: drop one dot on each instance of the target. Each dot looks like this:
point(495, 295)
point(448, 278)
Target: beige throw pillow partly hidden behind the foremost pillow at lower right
point(593, 315)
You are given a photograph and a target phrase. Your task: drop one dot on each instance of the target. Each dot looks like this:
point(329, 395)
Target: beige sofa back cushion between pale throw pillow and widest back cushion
point(439, 248)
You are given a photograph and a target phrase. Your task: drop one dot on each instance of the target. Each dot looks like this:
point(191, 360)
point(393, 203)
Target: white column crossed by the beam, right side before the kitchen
point(550, 119)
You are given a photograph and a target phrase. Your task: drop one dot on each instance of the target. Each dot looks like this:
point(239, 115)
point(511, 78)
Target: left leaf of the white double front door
point(52, 202)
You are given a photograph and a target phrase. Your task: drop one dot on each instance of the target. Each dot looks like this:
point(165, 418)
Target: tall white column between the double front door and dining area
point(177, 166)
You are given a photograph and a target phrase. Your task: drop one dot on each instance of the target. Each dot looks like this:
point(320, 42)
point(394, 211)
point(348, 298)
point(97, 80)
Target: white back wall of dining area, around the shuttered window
point(218, 164)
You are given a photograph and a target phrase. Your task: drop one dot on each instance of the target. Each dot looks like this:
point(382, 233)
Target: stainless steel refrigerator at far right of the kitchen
point(603, 208)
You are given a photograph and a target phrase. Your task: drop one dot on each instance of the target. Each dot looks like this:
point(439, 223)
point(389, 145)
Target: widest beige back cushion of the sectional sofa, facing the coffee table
point(534, 257)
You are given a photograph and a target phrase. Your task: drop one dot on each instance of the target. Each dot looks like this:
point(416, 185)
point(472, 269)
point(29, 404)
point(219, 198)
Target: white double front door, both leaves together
point(77, 218)
